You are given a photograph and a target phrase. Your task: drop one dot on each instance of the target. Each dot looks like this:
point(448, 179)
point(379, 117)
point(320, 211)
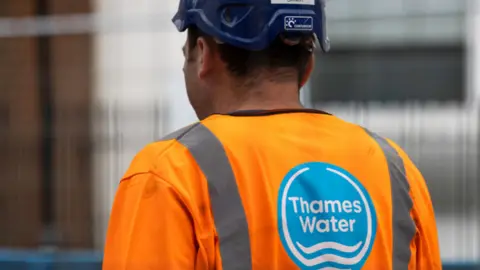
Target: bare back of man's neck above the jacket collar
point(266, 95)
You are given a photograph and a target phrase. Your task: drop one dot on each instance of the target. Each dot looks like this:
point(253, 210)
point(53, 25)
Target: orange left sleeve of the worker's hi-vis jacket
point(150, 227)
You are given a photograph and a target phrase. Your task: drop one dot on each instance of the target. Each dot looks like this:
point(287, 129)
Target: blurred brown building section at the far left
point(45, 100)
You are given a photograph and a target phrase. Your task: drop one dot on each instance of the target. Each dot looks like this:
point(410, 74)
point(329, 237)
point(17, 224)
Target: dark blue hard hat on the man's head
point(254, 24)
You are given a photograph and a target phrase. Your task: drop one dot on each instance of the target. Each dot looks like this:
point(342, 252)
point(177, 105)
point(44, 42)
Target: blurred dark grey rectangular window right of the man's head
point(390, 74)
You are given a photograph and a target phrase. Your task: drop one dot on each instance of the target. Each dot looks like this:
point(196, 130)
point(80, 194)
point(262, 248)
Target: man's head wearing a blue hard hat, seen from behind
point(233, 50)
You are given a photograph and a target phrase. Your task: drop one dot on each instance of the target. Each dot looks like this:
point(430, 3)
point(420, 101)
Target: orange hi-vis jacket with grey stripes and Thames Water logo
point(286, 189)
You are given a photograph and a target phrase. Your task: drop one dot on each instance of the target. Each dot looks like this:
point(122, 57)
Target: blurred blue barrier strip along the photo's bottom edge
point(88, 260)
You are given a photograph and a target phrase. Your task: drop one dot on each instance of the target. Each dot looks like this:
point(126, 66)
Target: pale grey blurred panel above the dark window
point(391, 21)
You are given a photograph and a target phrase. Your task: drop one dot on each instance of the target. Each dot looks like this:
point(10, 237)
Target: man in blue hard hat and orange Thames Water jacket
point(260, 182)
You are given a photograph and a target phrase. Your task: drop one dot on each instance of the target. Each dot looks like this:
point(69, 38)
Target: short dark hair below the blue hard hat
point(246, 64)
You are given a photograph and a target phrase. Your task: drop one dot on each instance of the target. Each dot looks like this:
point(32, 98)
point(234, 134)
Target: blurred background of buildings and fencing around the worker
point(84, 85)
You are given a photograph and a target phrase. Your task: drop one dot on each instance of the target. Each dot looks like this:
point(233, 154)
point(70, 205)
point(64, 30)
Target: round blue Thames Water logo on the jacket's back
point(326, 217)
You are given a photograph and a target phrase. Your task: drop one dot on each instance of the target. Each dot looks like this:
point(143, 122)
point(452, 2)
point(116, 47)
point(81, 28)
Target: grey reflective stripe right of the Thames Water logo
point(403, 225)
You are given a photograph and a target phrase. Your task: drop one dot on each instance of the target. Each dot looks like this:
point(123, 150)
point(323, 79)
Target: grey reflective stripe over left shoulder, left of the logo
point(228, 212)
